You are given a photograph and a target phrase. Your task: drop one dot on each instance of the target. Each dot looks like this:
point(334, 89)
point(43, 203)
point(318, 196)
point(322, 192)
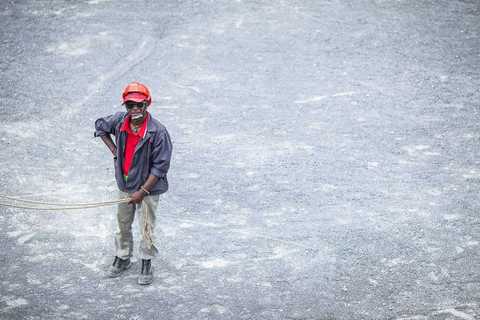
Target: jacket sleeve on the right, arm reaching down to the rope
point(161, 154)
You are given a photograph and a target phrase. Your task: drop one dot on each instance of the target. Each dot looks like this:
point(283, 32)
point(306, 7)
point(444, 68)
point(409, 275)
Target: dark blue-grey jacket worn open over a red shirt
point(152, 154)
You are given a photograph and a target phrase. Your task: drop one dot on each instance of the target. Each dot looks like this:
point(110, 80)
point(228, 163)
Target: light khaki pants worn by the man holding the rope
point(146, 219)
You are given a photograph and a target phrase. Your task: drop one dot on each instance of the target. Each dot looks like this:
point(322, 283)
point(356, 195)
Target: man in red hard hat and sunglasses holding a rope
point(141, 152)
